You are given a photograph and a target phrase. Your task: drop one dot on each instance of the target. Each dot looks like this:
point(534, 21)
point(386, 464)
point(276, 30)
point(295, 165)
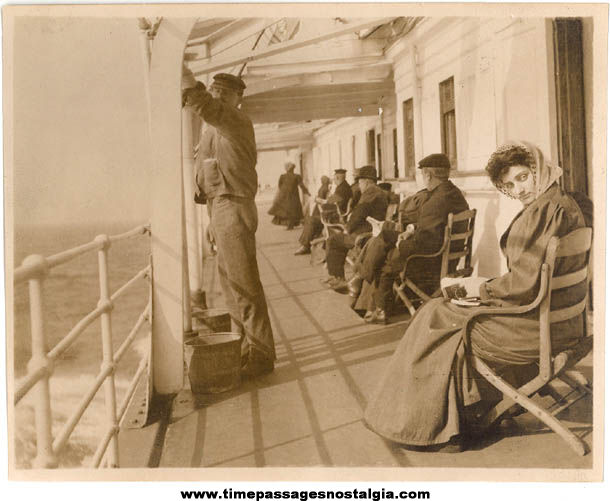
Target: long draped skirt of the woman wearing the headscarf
point(428, 383)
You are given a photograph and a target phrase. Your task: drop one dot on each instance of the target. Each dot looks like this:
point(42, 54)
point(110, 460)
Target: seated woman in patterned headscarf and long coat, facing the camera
point(428, 394)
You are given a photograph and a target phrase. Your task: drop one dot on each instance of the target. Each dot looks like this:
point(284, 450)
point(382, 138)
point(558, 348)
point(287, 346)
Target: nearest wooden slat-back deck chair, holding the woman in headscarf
point(551, 369)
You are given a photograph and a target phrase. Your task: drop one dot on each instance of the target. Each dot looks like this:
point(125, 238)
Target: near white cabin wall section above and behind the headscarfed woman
point(502, 73)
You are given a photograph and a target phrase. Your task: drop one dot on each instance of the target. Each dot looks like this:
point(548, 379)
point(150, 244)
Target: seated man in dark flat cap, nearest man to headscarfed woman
point(427, 213)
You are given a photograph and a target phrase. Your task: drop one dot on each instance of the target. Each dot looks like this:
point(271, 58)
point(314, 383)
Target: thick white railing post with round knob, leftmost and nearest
point(45, 456)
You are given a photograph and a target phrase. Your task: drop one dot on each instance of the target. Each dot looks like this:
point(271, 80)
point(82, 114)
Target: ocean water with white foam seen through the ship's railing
point(70, 292)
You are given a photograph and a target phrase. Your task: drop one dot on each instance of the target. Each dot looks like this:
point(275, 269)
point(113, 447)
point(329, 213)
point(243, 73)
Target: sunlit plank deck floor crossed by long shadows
point(308, 412)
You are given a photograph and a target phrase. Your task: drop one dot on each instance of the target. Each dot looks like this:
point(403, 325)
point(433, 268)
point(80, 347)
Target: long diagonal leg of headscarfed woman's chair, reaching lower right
point(572, 440)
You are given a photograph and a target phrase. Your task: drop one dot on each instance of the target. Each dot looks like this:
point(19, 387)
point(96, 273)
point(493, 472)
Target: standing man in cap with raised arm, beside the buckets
point(227, 167)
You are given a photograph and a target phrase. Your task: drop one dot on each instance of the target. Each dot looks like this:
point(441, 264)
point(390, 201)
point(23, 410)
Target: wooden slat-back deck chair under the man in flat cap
point(455, 259)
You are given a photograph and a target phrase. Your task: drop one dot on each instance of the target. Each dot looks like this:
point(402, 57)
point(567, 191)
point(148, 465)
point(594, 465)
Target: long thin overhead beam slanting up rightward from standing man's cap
point(288, 46)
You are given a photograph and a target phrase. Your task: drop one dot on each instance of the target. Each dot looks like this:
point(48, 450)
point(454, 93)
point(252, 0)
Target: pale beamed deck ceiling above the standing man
point(299, 69)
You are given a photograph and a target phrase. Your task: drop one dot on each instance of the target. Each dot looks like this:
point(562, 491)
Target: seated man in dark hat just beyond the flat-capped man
point(373, 203)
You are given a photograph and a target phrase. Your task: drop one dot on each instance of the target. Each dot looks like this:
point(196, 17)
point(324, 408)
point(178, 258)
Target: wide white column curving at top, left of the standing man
point(167, 187)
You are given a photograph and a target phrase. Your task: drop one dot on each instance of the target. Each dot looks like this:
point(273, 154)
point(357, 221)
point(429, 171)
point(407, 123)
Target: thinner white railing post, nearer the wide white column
point(107, 352)
